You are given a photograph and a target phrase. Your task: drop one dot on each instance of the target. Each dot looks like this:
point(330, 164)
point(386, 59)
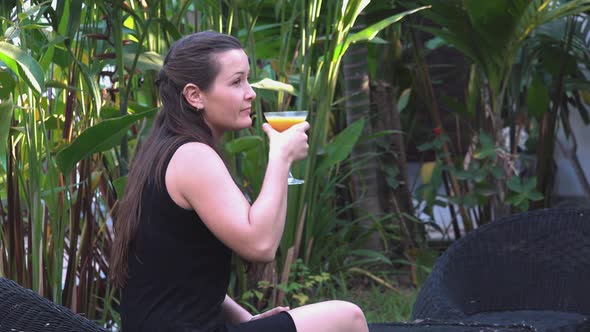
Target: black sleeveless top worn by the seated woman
point(178, 270)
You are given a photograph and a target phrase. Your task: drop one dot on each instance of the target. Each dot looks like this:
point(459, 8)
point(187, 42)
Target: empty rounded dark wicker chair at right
point(530, 269)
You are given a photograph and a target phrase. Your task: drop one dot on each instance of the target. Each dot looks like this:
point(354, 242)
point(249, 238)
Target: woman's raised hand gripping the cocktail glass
point(290, 144)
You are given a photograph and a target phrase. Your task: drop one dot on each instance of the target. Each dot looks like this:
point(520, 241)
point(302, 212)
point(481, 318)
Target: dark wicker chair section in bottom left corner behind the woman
point(22, 309)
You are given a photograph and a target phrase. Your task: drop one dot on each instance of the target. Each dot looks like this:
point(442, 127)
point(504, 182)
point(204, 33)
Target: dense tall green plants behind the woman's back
point(76, 81)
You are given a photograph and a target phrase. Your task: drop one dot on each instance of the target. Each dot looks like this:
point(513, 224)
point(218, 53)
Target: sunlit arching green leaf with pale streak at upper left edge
point(23, 65)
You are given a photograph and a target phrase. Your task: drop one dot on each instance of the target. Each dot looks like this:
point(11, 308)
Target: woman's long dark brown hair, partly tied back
point(189, 60)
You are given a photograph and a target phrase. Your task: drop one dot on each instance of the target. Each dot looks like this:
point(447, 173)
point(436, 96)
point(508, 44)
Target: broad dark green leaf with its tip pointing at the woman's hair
point(101, 137)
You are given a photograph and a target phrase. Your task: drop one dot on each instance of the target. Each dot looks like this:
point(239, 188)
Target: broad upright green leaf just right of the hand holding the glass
point(341, 147)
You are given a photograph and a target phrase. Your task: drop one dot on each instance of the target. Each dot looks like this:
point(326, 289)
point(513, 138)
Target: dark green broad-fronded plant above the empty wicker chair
point(502, 40)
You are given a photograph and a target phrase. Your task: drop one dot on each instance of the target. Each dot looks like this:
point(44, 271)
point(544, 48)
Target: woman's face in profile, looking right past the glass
point(227, 103)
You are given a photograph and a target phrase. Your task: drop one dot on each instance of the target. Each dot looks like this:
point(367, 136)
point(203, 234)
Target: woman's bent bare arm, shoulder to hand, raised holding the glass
point(198, 179)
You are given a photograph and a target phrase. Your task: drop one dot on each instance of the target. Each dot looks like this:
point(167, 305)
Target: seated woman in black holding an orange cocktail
point(182, 215)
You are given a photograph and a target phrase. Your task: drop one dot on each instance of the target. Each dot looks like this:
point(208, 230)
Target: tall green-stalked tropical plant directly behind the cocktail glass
point(307, 80)
